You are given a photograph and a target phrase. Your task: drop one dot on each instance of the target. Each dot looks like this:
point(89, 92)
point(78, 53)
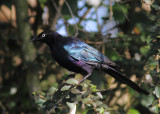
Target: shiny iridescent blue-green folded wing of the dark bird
point(82, 51)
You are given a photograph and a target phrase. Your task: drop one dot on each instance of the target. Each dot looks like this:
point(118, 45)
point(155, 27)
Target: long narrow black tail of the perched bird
point(118, 76)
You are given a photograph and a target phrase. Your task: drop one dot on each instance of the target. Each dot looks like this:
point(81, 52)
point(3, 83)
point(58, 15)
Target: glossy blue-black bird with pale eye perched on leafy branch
point(77, 56)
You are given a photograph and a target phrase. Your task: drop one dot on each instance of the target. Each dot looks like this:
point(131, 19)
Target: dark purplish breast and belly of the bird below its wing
point(65, 60)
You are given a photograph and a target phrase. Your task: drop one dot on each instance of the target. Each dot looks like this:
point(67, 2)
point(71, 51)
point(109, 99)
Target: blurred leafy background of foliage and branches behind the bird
point(128, 33)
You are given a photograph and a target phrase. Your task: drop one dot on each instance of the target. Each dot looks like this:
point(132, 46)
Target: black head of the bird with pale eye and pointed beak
point(46, 36)
